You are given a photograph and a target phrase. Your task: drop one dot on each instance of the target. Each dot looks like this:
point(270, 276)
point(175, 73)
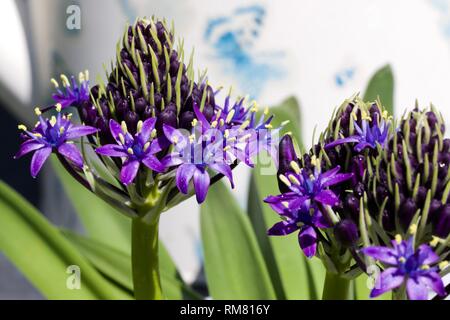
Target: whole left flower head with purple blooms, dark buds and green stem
point(152, 136)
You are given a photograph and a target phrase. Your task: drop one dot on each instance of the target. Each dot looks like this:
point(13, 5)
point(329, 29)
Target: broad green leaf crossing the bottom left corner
point(43, 255)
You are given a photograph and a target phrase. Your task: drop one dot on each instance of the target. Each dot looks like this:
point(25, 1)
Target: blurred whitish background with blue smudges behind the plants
point(319, 51)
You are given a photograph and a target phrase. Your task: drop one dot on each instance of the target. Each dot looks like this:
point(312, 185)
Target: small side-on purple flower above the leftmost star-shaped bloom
point(72, 93)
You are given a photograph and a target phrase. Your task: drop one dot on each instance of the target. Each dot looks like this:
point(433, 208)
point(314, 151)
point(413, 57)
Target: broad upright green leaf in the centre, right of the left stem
point(234, 265)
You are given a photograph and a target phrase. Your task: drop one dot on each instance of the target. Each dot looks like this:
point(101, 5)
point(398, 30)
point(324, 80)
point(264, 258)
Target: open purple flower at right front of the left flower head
point(192, 156)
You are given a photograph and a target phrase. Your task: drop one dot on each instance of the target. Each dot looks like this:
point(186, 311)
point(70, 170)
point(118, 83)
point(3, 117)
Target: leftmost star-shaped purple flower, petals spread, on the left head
point(53, 135)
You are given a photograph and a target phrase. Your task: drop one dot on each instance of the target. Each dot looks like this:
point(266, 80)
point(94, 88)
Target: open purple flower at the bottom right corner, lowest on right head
point(407, 266)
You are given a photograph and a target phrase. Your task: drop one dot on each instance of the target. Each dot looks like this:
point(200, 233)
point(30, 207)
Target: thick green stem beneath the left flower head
point(145, 260)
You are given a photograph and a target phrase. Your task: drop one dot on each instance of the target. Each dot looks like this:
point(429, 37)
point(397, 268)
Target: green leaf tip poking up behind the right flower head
point(382, 85)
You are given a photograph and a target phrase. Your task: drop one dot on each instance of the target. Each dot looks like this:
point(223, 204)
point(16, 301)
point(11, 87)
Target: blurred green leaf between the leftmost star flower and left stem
point(101, 221)
